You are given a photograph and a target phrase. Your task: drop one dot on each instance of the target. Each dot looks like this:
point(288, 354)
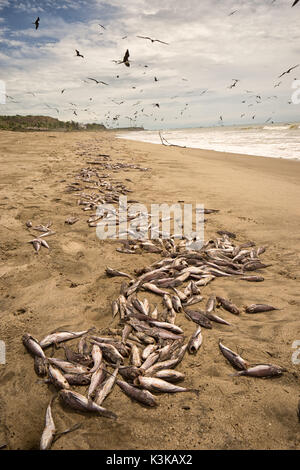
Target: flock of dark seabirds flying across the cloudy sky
point(251, 99)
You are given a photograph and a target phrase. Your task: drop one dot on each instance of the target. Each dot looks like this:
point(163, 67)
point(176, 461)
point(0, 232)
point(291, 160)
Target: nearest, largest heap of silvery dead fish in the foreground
point(147, 345)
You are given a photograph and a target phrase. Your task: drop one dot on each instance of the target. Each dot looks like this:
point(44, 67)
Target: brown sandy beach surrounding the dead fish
point(66, 287)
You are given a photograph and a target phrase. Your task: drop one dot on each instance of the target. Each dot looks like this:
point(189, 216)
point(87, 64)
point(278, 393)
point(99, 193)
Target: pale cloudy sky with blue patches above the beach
point(210, 43)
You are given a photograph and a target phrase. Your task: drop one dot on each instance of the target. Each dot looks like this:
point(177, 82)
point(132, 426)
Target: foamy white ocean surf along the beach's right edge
point(275, 141)
